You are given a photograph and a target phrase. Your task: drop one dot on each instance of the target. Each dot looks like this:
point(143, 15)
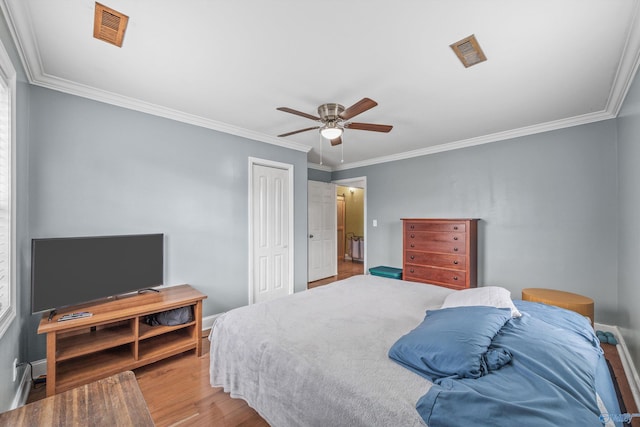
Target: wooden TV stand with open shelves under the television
point(116, 338)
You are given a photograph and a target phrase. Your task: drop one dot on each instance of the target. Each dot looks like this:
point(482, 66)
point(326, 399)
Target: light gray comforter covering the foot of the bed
point(319, 357)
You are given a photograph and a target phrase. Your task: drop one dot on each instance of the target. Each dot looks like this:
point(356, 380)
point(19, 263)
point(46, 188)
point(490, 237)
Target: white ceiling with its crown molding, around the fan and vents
point(227, 65)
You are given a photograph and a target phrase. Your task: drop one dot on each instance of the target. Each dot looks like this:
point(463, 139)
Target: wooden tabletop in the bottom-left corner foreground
point(110, 402)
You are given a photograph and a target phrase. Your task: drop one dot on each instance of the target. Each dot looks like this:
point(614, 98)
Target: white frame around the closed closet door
point(255, 161)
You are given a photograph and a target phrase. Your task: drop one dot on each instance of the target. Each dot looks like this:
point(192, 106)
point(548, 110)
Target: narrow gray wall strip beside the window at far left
point(13, 343)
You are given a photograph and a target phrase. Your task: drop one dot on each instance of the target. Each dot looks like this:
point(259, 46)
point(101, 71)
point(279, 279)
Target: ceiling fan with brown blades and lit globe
point(333, 120)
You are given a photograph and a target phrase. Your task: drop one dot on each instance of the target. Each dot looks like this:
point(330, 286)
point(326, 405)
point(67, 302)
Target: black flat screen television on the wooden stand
point(74, 270)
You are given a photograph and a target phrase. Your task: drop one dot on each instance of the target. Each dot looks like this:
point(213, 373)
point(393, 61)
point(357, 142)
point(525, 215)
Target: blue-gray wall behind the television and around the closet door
point(99, 169)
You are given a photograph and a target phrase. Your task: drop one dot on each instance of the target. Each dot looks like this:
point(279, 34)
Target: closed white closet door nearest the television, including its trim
point(270, 230)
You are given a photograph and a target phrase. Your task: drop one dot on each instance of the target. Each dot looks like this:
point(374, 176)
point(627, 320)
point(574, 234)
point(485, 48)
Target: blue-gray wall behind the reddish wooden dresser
point(547, 204)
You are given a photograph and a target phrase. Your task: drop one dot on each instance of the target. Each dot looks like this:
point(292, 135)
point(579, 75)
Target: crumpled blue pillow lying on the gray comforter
point(453, 343)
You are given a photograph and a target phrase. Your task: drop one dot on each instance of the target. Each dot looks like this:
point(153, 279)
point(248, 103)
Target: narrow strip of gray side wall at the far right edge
point(629, 245)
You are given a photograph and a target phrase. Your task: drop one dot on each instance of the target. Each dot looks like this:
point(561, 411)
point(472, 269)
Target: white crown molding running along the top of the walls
point(22, 32)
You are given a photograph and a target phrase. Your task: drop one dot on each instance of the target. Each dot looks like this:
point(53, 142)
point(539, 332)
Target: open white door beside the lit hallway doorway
point(322, 230)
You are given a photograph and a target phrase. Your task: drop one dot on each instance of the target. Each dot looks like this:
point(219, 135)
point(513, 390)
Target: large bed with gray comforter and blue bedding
point(326, 357)
